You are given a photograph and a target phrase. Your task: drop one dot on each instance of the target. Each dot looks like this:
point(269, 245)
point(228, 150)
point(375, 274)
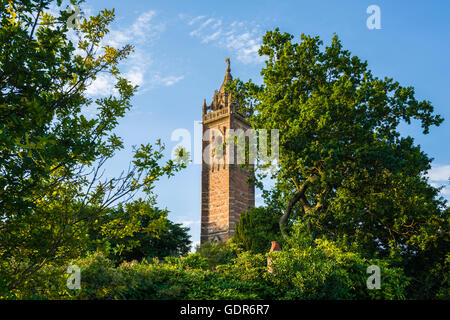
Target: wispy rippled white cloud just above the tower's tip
point(243, 39)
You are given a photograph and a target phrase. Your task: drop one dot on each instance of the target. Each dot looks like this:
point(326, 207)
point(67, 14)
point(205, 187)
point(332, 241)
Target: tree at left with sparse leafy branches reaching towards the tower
point(51, 153)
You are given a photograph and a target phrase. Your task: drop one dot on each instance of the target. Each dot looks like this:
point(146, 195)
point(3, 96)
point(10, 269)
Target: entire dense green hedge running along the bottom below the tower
point(321, 271)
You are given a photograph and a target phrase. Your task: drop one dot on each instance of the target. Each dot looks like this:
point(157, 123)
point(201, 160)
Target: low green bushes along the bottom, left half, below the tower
point(176, 278)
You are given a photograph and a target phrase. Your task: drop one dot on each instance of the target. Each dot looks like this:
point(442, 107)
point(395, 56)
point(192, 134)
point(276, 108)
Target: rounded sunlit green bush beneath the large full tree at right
point(324, 270)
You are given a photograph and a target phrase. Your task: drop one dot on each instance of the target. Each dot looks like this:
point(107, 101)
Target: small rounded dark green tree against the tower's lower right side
point(256, 229)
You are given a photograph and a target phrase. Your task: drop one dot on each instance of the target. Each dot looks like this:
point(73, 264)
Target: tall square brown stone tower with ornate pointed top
point(226, 191)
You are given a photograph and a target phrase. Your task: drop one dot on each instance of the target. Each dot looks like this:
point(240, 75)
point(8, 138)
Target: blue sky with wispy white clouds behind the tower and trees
point(179, 61)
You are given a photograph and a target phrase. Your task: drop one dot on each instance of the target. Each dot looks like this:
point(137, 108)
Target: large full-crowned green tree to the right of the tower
point(344, 168)
